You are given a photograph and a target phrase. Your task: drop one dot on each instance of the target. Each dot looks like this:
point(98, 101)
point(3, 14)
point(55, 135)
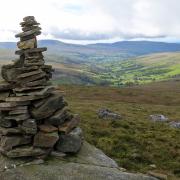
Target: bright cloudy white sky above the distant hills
point(90, 21)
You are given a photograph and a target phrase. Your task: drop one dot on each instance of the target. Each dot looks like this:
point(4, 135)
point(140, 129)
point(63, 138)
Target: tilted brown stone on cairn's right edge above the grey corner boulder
point(69, 125)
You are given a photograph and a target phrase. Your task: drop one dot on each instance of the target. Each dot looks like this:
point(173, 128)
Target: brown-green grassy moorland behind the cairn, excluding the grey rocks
point(134, 142)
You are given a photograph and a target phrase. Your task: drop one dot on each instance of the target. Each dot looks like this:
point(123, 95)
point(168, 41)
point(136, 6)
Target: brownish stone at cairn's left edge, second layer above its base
point(8, 142)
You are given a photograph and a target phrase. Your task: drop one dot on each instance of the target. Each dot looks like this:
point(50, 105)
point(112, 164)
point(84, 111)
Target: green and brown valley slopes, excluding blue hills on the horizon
point(140, 70)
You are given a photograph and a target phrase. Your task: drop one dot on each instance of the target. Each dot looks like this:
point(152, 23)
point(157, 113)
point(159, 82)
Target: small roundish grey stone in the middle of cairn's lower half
point(29, 126)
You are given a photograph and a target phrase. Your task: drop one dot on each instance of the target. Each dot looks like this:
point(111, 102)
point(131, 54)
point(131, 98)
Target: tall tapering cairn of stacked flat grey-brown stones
point(35, 120)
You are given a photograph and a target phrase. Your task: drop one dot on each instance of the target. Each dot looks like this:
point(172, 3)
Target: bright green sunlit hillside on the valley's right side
point(145, 69)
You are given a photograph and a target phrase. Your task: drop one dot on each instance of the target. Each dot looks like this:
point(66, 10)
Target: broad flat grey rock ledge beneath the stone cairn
point(89, 164)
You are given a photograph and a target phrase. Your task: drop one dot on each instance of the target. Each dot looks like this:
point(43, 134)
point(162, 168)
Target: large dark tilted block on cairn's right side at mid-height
point(53, 103)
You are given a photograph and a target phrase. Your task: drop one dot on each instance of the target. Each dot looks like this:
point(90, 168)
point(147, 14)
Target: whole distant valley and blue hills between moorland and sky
point(118, 64)
